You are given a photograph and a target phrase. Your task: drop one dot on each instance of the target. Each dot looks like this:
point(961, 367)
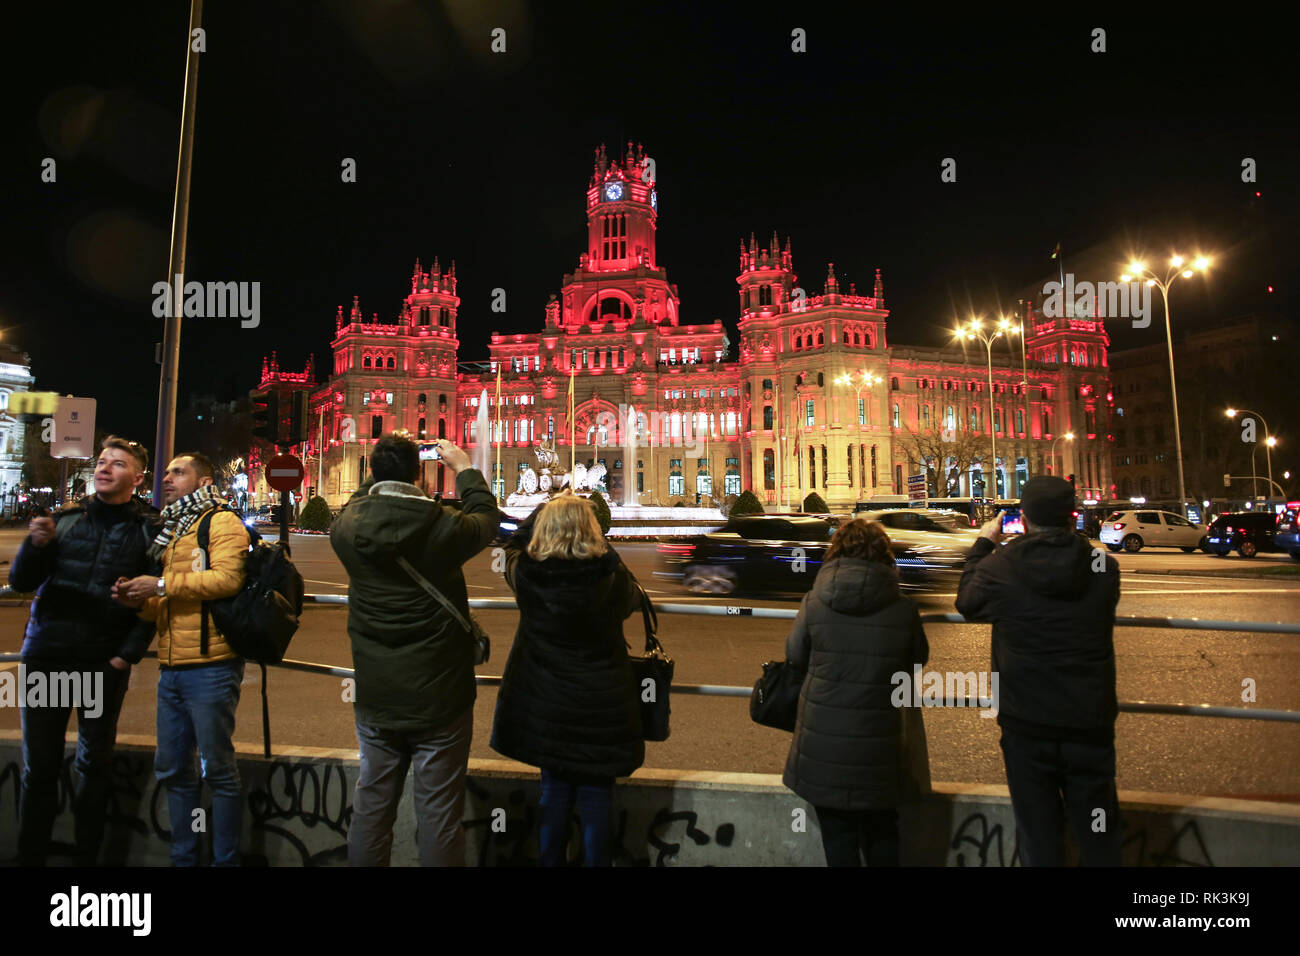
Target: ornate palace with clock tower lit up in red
point(817, 399)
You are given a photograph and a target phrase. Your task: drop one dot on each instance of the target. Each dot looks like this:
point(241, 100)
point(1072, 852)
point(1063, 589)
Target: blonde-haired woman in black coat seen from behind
point(567, 702)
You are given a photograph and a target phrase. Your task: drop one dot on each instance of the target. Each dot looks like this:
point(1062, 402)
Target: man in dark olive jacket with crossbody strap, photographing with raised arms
point(414, 661)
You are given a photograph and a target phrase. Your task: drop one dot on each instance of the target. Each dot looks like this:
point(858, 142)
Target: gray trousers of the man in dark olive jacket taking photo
point(440, 760)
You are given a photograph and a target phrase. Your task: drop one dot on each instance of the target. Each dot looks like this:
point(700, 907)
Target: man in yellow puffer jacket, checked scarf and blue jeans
point(200, 681)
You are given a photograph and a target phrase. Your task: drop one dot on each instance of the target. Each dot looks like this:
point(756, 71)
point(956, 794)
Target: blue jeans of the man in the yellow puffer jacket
point(197, 712)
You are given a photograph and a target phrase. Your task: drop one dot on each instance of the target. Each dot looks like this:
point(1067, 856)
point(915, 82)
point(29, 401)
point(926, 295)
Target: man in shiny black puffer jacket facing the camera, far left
point(83, 643)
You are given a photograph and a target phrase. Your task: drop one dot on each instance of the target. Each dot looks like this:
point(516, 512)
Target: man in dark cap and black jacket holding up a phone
point(1052, 600)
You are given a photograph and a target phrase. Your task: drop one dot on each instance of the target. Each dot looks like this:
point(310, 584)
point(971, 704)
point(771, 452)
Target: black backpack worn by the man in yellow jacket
point(259, 621)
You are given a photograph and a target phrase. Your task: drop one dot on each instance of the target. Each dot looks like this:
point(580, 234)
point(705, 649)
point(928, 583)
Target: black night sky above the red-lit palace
point(486, 159)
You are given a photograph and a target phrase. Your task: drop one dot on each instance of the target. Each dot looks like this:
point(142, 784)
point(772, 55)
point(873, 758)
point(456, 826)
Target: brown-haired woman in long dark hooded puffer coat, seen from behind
point(856, 756)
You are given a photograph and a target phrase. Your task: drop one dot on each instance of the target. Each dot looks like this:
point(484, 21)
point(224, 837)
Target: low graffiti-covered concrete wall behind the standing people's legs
point(300, 804)
